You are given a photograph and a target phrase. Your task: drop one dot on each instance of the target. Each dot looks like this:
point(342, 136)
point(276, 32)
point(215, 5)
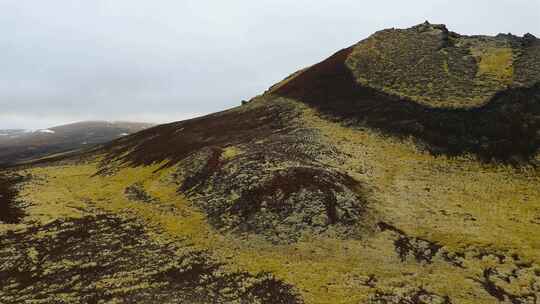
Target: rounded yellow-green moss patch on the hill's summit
point(401, 62)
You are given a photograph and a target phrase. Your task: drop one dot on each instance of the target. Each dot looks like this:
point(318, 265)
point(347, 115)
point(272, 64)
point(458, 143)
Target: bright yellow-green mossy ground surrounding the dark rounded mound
point(443, 230)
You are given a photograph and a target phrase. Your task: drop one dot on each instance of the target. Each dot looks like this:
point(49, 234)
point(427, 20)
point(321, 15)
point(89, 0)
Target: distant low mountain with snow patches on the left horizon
point(18, 145)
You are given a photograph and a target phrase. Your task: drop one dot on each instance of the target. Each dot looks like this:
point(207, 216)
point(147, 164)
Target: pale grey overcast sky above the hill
point(159, 61)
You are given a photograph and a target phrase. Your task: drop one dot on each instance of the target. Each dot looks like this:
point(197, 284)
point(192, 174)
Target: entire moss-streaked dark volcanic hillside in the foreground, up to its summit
point(335, 186)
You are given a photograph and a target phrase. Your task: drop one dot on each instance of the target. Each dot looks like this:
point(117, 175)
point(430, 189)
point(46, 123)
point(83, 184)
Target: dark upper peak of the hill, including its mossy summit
point(504, 126)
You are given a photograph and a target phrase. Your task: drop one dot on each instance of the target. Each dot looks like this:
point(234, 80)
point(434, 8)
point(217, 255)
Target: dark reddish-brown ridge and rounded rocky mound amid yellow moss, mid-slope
point(254, 169)
